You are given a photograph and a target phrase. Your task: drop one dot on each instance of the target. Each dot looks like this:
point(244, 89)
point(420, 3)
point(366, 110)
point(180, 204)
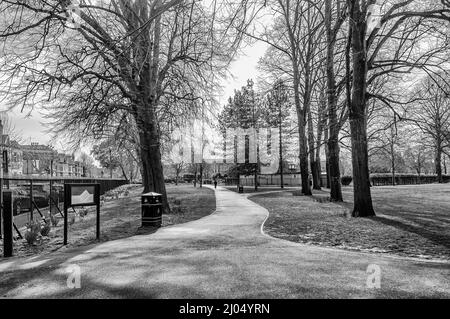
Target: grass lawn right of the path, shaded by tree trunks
point(411, 220)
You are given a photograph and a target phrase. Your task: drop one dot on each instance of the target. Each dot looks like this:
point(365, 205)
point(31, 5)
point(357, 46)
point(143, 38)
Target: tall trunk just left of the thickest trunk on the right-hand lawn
point(333, 170)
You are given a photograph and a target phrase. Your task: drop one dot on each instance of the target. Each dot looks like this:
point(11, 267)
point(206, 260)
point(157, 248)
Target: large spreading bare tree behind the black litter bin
point(114, 58)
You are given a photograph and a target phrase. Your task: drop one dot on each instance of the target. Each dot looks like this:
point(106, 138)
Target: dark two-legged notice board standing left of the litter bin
point(81, 195)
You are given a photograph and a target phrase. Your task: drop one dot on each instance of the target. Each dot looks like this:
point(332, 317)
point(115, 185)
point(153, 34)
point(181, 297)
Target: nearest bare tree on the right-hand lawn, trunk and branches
point(397, 17)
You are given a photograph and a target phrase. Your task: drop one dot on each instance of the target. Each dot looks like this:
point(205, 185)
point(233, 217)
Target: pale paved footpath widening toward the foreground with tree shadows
point(224, 255)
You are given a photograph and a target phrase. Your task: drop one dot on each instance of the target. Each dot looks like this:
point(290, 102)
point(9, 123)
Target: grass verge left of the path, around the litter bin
point(121, 218)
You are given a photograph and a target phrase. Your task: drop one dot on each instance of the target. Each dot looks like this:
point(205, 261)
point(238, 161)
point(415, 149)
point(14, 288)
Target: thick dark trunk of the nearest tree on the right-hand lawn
point(357, 113)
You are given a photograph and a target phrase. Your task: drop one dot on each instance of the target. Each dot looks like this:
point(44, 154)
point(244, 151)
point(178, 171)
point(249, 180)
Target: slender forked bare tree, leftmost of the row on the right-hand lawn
point(294, 55)
